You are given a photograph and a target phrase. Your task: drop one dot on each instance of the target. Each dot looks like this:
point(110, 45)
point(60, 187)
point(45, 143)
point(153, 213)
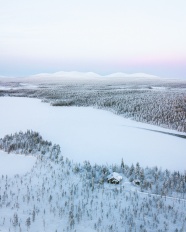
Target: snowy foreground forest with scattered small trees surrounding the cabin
point(60, 195)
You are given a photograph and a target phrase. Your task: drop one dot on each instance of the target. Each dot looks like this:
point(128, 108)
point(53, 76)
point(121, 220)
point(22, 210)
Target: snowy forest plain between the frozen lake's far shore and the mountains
point(160, 103)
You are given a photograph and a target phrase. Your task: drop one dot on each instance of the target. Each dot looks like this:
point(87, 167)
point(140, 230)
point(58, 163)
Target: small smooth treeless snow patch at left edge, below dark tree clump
point(12, 164)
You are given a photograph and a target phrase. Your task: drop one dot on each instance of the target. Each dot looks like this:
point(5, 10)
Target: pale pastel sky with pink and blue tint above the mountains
point(102, 36)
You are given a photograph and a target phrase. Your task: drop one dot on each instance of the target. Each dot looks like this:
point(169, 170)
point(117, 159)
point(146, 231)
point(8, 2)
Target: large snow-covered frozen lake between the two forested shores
point(85, 133)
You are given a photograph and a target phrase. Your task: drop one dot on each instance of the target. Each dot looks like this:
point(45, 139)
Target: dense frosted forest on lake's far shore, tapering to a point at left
point(166, 109)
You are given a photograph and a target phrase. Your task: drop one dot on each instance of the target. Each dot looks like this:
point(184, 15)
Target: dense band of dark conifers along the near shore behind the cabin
point(152, 180)
